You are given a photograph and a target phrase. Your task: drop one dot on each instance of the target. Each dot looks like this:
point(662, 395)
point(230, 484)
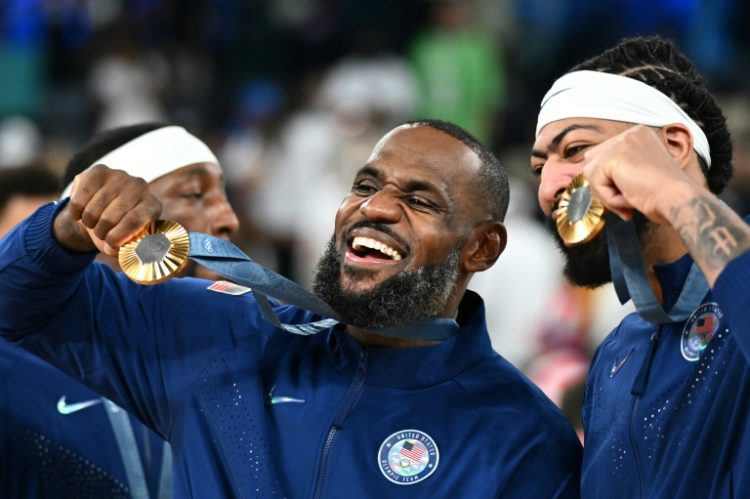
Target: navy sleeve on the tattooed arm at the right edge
point(732, 293)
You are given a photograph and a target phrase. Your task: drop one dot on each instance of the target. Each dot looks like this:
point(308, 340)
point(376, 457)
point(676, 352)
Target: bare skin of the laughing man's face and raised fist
point(419, 182)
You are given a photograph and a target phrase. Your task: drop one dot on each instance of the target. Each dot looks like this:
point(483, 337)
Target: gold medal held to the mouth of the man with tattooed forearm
point(580, 216)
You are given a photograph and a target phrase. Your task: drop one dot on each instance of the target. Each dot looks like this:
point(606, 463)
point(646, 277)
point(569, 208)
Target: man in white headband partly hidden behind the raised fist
point(58, 438)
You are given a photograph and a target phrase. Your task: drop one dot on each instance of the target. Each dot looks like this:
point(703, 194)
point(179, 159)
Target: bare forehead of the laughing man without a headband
point(414, 151)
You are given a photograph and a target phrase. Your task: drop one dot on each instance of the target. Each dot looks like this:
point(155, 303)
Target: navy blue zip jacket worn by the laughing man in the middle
point(206, 371)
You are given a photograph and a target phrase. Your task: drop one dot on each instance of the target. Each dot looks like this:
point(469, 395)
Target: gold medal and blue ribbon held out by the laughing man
point(162, 250)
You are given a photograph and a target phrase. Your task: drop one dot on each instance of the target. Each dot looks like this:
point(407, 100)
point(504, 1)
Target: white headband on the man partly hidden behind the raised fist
point(155, 154)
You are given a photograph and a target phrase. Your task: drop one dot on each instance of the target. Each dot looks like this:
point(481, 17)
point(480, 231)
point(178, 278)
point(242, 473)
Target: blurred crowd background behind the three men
point(293, 94)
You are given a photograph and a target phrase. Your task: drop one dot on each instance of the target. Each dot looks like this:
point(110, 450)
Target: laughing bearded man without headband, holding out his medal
point(254, 411)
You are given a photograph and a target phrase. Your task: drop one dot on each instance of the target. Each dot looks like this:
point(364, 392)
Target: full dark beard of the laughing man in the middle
point(403, 298)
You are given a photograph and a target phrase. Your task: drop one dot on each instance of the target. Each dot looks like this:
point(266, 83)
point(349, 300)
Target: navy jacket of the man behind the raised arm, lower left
point(50, 455)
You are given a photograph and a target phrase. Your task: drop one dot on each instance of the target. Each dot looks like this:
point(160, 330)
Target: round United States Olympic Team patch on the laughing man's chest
point(408, 457)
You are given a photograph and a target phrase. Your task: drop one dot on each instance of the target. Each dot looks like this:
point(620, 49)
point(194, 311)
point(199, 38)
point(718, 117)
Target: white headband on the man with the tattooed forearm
point(593, 94)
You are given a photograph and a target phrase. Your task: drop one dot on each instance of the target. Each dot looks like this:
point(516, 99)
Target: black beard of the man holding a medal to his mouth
point(587, 265)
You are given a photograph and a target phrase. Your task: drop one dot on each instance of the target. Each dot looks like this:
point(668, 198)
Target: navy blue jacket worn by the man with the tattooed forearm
point(657, 425)
